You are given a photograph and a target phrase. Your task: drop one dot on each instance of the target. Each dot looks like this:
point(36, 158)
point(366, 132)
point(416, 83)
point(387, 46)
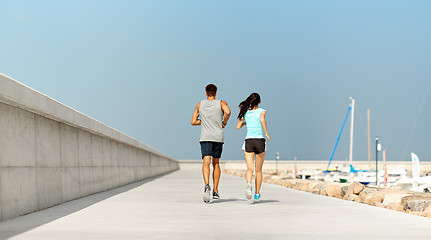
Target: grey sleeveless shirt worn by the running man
point(211, 116)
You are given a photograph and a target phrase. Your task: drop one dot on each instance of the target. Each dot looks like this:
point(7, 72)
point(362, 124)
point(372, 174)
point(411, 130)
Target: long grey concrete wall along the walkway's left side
point(50, 153)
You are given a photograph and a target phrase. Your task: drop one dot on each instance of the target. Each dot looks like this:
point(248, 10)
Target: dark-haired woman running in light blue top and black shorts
point(254, 145)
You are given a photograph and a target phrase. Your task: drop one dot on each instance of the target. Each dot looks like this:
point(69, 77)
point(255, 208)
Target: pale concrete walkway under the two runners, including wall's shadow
point(171, 207)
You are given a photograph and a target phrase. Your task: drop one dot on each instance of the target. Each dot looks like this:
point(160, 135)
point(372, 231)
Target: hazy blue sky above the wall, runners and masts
point(141, 67)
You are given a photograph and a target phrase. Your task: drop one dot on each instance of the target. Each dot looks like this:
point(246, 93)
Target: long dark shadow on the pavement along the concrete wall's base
point(19, 225)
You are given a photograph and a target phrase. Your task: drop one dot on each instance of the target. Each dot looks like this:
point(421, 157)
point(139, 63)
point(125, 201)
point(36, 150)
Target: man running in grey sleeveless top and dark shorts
point(212, 115)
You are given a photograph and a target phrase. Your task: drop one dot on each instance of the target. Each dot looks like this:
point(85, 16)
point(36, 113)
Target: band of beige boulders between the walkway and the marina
point(385, 197)
